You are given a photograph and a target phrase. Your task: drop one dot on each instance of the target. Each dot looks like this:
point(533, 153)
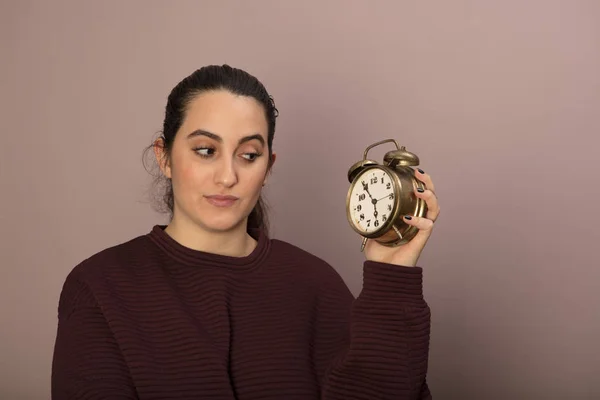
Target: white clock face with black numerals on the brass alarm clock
point(371, 200)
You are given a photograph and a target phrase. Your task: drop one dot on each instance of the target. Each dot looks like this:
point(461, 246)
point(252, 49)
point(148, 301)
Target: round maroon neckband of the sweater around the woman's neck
point(198, 258)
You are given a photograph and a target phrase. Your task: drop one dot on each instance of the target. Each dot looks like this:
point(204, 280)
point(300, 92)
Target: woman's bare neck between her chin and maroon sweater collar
point(235, 242)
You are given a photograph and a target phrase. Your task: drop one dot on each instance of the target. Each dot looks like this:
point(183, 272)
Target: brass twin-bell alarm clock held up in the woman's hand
point(380, 195)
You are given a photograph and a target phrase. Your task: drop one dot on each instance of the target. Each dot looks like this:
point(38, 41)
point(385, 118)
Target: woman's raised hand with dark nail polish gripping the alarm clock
point(409, 253)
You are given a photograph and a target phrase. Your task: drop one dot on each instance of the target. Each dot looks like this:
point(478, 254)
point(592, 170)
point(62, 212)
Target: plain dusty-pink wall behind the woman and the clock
point(499, 99)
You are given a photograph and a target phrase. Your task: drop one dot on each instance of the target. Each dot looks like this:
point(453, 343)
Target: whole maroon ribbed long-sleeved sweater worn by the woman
point(152, 319)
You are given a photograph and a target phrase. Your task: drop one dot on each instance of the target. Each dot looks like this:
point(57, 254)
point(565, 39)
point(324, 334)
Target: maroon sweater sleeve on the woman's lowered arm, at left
point(87, 363)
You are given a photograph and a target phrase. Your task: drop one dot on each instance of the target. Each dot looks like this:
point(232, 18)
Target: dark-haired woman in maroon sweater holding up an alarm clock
point(209, 307)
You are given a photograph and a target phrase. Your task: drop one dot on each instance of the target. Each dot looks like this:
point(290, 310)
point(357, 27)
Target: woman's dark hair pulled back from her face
point(209, 78)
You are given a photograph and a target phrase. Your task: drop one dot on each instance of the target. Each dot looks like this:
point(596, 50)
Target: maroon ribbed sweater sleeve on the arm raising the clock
point(377, 345)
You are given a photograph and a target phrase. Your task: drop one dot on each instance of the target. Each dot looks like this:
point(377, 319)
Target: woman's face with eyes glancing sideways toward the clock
point(219, 161)
